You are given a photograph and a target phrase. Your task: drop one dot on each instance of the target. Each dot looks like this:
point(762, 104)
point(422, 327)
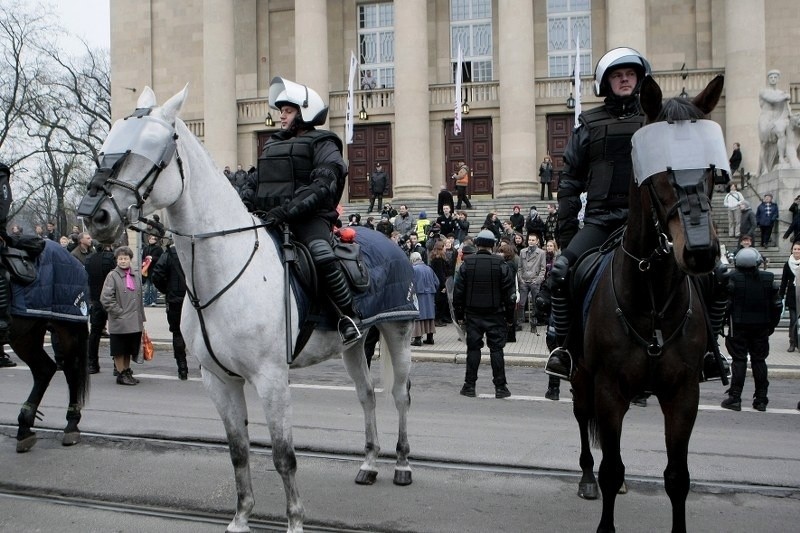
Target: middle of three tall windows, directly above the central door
point(471, 25)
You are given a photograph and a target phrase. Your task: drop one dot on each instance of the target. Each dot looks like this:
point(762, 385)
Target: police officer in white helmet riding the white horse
point(300, 180)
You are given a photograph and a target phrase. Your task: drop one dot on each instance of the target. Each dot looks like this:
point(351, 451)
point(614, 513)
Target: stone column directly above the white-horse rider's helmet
point(311, 46)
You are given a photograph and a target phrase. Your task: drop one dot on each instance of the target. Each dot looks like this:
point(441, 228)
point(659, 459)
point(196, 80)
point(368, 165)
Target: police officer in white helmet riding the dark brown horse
point(597, 161)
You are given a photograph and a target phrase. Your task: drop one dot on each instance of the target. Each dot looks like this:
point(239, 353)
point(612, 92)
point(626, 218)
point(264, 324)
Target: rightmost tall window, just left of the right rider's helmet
point(567, 20)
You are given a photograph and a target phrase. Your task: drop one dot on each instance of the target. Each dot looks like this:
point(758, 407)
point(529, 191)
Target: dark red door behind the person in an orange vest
point(474, 147)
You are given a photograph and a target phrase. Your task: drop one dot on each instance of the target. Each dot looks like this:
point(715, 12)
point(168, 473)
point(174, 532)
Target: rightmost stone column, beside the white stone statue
point(745, 76)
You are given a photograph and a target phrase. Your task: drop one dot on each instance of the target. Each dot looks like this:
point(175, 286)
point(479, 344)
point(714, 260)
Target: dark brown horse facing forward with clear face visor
point(646, 328)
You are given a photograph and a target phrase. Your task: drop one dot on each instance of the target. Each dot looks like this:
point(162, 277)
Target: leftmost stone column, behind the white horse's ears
point(219, 82)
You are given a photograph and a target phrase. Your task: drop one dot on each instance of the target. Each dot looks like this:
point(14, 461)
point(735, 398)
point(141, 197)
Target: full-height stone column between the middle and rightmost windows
point(518, 167)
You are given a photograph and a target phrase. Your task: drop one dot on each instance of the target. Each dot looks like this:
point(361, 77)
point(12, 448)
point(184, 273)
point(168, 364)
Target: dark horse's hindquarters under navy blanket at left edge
point(56, 301)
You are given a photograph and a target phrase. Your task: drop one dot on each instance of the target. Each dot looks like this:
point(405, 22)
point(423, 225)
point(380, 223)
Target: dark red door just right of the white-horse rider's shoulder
point(371, 143)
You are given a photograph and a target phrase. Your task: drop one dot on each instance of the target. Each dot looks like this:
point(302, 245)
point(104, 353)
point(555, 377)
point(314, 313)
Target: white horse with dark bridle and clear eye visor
point(237, 279)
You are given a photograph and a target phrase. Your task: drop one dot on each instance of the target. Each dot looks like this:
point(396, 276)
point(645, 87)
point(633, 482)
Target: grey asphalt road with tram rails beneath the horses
point(479, 464)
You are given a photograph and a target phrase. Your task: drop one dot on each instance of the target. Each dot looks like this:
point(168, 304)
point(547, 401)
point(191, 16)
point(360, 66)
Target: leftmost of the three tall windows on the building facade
point(376, 42)
